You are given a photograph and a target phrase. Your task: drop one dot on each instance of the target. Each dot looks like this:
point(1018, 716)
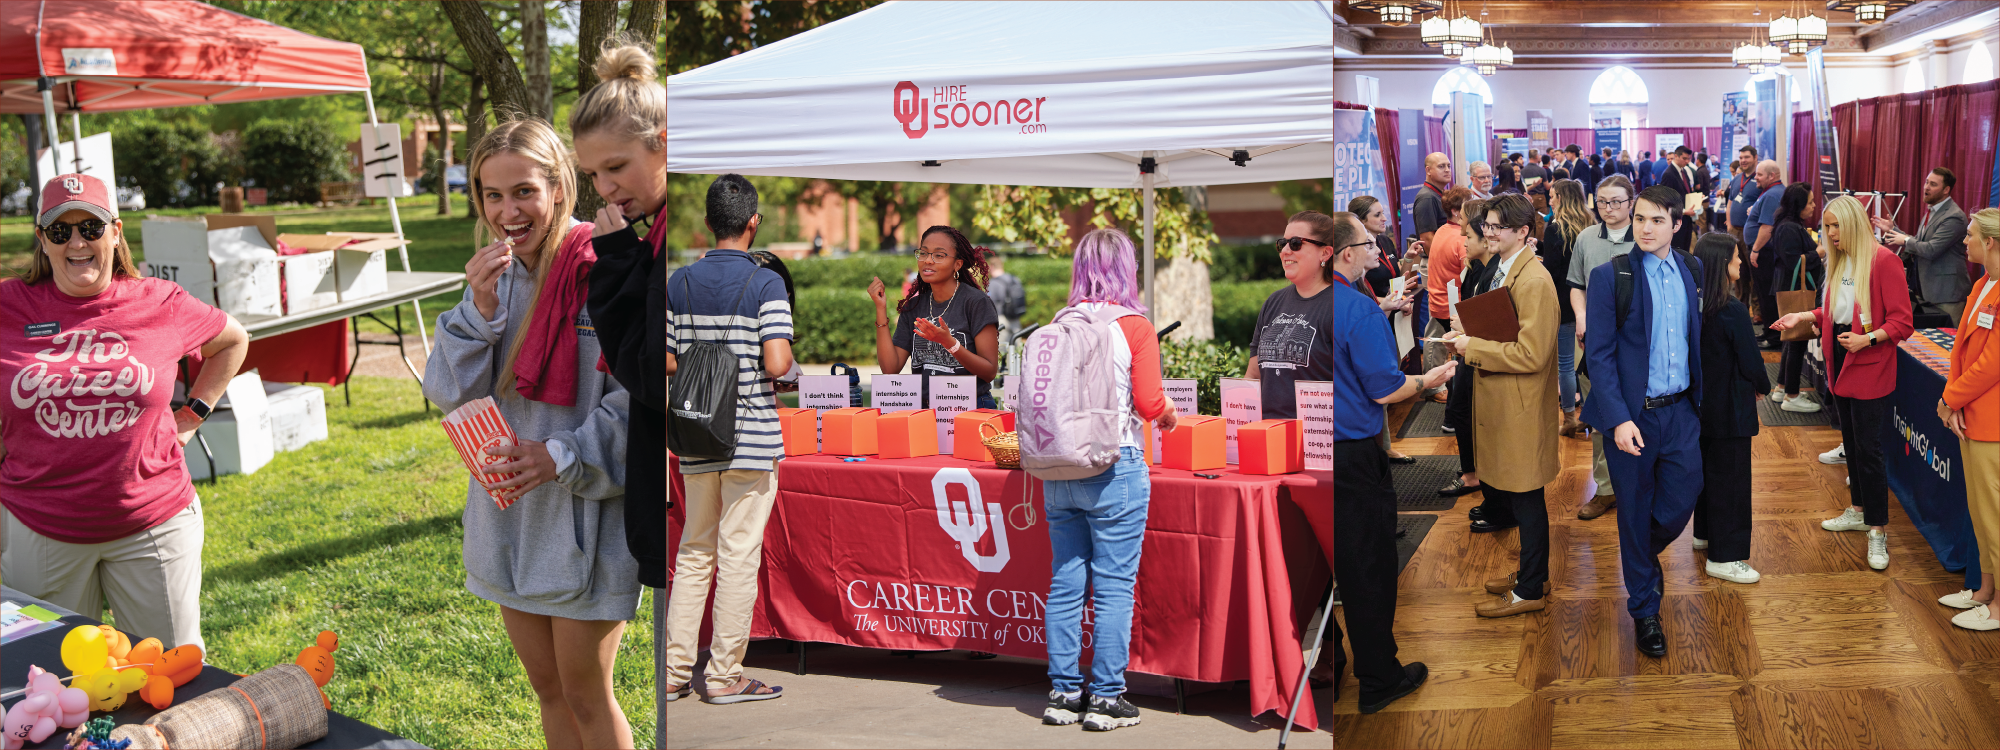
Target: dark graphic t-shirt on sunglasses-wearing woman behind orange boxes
point(1295, 341)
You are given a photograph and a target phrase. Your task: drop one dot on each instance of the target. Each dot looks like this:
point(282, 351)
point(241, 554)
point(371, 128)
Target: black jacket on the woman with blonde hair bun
point(629, 309)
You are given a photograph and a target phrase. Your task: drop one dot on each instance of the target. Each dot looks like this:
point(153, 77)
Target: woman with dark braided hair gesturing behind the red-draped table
point(945, 325)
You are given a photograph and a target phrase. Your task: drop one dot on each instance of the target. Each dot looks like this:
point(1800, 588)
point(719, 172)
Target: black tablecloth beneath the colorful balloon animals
point(45, 651)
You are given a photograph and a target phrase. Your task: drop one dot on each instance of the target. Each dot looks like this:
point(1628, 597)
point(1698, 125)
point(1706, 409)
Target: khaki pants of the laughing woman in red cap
point(153, 579)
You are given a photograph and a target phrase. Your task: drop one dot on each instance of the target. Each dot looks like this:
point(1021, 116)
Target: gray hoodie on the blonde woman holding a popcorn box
point(557, 551)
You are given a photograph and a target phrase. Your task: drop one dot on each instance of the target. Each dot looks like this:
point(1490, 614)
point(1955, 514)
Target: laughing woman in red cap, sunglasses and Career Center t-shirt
point(95, 489)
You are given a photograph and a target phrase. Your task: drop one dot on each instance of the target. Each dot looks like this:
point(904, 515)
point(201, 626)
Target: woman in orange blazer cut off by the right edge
point(1971, 409)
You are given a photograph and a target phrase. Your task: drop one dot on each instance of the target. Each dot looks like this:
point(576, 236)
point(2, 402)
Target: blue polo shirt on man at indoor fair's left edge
point(1365, 363)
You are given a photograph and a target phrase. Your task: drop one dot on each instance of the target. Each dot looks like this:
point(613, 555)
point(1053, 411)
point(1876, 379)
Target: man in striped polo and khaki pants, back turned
point(727, 299)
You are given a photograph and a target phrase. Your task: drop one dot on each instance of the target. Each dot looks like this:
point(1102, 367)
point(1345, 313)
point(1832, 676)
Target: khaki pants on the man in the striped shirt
point(723, 543)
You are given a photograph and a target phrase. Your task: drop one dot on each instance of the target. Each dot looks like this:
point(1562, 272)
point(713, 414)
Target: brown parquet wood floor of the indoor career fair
point(1823, 653)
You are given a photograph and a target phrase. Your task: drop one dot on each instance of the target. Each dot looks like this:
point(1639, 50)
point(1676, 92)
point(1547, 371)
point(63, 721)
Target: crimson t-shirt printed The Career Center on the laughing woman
point(87, 423)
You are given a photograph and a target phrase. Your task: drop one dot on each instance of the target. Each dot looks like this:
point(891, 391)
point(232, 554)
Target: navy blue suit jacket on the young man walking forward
point(1619, 357)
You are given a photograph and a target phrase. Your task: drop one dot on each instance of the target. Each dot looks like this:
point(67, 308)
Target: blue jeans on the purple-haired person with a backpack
point(1095, 531)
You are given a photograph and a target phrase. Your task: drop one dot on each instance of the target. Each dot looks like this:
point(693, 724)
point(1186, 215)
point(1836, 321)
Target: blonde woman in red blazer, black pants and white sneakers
point(1865, 311)
